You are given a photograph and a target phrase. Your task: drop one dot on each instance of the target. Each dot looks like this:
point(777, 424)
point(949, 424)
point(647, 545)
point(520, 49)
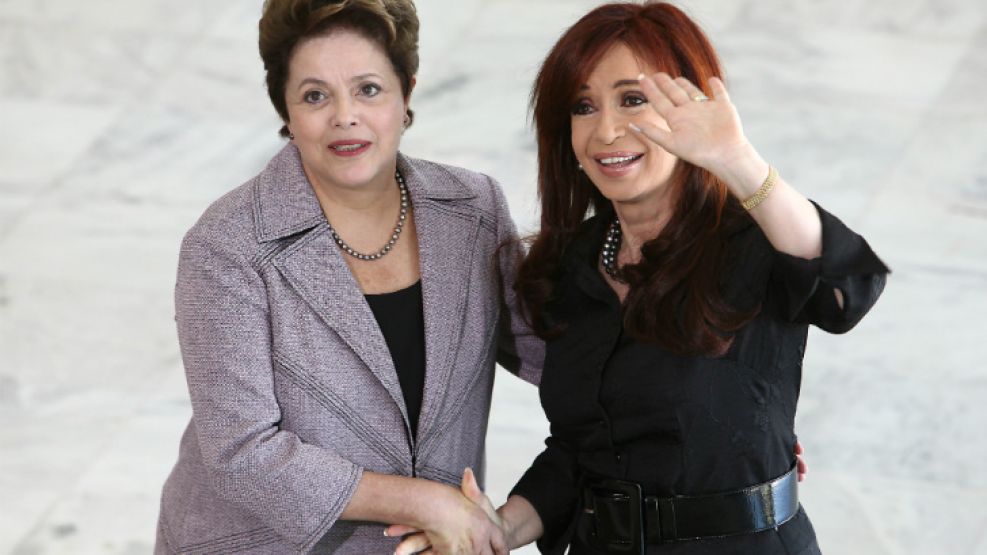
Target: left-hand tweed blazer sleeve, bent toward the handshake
point(296, 489)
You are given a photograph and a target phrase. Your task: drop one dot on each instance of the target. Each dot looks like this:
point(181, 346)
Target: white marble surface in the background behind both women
point(122, 120)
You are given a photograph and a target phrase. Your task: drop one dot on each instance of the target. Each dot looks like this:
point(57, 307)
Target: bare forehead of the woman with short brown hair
point(340, 52)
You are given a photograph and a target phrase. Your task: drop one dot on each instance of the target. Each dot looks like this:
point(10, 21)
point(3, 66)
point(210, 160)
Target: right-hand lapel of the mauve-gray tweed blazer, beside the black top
point(446, 242)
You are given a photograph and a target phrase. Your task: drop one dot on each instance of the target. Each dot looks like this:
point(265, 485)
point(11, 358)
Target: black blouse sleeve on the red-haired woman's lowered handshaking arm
point(551, 486)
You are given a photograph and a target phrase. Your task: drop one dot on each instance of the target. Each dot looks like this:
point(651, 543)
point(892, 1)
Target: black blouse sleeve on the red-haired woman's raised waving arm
point(804, 288)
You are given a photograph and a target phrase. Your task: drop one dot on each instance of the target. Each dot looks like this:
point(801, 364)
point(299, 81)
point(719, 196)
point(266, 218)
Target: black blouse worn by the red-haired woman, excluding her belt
point(689, 425)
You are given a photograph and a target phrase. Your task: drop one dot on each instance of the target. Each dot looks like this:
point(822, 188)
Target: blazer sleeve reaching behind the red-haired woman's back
point(519, 349)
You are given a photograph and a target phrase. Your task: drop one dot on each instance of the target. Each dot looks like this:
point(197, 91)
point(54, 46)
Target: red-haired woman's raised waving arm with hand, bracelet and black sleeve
point(709, 134)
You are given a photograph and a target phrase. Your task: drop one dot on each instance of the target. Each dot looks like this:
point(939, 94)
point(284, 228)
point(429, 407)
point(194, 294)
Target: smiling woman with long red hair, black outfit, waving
point(673, 279)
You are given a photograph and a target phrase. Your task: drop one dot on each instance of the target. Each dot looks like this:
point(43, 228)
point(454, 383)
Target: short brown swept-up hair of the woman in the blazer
point(392, 24)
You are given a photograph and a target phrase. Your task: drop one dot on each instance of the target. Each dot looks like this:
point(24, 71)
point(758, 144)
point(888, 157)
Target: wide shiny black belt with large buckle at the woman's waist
point(624, 521)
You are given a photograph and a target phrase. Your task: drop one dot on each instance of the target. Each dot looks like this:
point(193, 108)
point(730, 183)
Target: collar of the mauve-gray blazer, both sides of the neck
point(285, 204)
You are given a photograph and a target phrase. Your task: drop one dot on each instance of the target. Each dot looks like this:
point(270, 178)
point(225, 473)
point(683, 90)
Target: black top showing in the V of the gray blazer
point(401, 319)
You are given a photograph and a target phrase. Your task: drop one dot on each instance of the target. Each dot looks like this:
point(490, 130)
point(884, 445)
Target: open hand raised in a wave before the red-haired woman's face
point(703, 131)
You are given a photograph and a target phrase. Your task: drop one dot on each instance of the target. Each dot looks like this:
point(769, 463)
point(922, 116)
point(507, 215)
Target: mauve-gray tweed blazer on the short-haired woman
point(294, 393)
